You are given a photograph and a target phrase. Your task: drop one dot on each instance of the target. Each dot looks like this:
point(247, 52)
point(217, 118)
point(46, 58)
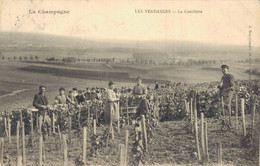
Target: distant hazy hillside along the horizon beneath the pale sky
point(26, 44)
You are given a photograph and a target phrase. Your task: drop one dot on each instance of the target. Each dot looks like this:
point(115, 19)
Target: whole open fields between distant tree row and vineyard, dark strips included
point(18, 76)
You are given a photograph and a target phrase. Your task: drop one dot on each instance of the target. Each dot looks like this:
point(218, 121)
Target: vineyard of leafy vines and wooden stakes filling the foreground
point(184, 124)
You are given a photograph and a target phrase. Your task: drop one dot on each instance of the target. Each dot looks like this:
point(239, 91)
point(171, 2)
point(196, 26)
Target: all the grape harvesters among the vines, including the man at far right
point(111, 96)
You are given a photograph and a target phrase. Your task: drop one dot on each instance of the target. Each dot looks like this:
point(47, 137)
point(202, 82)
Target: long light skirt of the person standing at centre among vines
point(111, 112)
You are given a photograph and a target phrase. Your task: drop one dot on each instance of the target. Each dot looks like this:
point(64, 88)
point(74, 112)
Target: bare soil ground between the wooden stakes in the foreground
point(170, 145)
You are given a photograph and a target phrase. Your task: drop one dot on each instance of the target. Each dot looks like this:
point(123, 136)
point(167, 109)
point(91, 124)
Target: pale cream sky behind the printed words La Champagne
point(221, 22)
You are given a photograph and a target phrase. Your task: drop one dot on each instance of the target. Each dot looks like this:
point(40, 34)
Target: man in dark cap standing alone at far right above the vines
point(226, 87)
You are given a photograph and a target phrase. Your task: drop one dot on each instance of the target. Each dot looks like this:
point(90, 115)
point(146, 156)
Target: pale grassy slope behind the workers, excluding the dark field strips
point(31, 80)
